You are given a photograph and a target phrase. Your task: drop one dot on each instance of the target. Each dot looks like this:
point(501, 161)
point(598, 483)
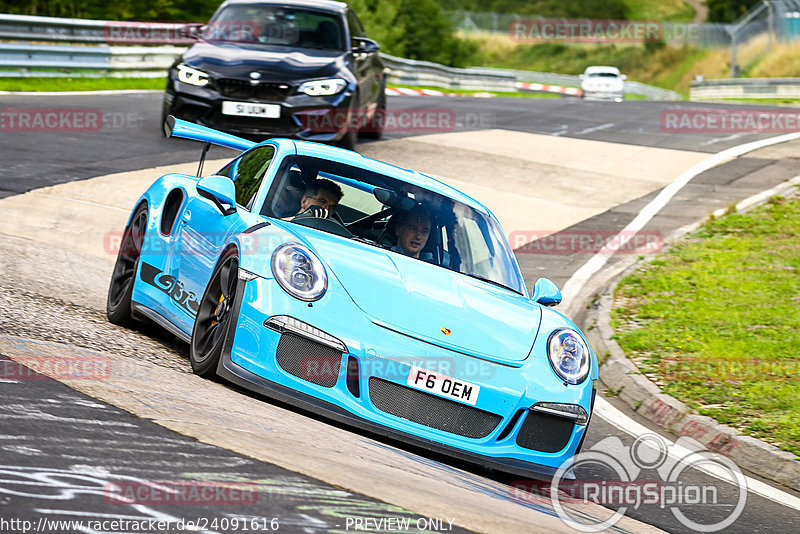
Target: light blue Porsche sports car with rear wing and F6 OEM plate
point(376, 295)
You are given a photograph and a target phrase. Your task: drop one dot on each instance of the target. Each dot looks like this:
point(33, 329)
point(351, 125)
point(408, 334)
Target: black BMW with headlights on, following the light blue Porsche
point(281, 68)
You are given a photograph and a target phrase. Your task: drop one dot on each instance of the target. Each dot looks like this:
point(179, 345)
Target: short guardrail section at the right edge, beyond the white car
point(737, 88)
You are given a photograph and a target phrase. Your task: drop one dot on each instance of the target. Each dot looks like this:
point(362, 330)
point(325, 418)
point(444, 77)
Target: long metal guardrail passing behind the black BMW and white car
point(90, 55)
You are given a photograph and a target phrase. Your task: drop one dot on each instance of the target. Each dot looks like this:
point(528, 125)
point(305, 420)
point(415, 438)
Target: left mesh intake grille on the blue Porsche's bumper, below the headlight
point(309, 360)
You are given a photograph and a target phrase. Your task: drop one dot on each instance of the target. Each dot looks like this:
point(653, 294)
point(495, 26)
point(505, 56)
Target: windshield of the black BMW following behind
point(276, 25)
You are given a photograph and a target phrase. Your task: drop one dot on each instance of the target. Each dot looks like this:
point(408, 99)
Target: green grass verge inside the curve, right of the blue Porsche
point(715, 321)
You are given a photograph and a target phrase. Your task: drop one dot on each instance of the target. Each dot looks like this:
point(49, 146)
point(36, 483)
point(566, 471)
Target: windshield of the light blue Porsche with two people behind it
point(393, 215)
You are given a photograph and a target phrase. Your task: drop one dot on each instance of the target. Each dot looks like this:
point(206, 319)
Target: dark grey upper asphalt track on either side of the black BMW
point(129, 138)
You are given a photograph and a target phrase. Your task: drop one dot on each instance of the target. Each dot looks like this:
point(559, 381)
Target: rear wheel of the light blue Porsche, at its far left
point(118, 302)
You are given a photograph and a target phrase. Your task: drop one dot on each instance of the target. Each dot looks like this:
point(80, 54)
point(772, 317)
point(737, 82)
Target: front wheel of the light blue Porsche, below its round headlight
point(214, 316)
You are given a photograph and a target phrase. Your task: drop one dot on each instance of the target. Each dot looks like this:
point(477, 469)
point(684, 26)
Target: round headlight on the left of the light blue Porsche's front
point(299, 272)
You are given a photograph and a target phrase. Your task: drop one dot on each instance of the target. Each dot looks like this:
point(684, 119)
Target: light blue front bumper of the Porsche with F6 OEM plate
point(366, 384)
